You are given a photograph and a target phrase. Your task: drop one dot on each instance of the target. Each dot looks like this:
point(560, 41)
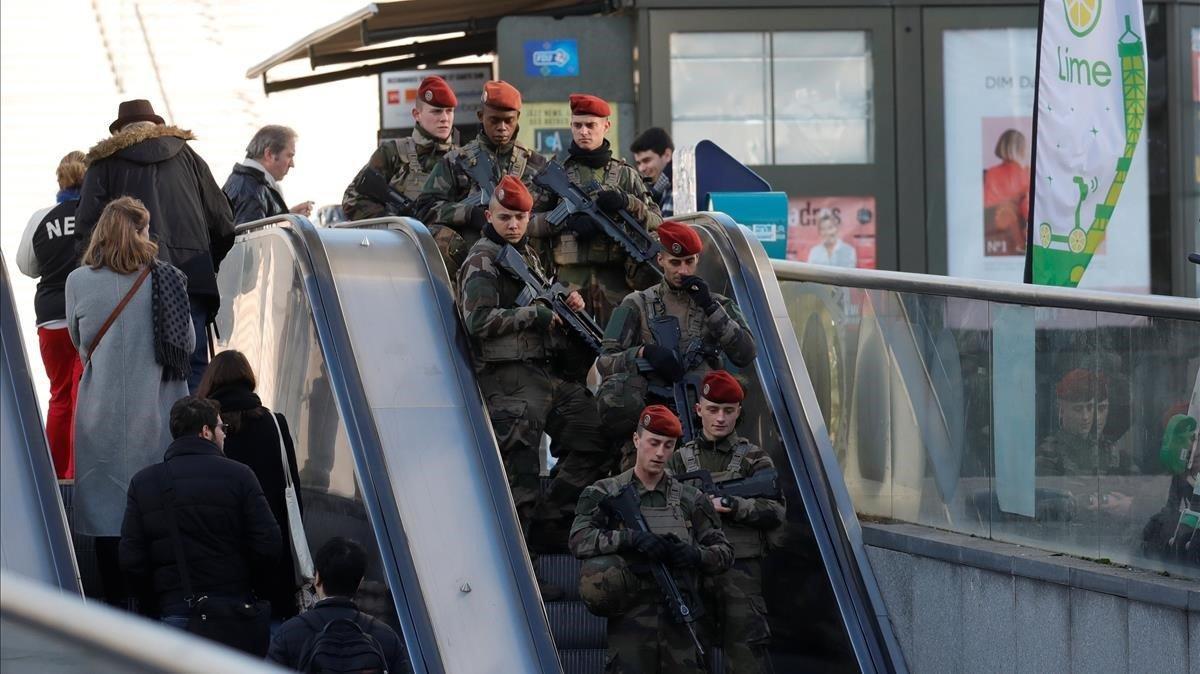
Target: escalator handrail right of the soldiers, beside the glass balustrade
point(807, 442)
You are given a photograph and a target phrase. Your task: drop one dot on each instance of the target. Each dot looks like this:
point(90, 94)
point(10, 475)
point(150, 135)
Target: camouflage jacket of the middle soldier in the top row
point(449, 186)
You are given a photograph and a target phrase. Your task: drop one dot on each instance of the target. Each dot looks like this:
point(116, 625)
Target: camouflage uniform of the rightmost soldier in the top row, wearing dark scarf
point(598, 267)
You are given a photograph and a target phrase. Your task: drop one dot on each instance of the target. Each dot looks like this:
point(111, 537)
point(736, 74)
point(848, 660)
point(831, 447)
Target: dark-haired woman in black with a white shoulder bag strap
point(254, 438)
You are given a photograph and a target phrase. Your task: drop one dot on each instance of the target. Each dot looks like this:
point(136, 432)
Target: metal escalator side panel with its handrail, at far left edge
point(35, 540)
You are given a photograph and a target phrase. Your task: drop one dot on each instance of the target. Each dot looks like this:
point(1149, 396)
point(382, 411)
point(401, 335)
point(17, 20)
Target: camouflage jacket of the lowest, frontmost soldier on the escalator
point(593, 534)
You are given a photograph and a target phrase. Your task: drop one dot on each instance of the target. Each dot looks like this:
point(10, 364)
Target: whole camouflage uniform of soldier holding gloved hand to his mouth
point(704, 339)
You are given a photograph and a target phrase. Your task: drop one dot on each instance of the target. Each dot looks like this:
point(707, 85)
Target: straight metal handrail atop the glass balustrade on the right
point(1159, 306)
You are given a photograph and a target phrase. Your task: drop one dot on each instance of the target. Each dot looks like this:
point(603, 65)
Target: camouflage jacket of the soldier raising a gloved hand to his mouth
point(725, 330)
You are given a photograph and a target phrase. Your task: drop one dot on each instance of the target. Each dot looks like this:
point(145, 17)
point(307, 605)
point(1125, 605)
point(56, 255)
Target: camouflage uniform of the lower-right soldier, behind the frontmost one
point(737, 594)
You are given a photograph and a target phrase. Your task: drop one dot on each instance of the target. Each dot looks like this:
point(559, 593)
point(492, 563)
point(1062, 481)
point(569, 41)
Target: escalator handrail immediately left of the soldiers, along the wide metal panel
point(482, 429)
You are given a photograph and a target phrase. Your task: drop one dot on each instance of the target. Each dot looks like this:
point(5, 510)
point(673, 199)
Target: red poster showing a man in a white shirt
point(833, 231)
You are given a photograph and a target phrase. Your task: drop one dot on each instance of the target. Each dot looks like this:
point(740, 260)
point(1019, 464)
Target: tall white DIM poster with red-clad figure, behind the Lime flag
point(989, 83)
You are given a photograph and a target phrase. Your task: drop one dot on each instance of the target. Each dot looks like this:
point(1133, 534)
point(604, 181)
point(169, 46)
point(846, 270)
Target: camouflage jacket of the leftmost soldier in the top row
point(406, 164)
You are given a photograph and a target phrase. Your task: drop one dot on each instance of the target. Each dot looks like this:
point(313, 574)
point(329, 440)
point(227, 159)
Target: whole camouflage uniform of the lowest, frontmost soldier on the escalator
point(644, 639)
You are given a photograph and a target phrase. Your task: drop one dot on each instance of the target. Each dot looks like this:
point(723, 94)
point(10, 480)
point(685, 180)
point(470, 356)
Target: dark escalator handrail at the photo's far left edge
point(29, 418)
